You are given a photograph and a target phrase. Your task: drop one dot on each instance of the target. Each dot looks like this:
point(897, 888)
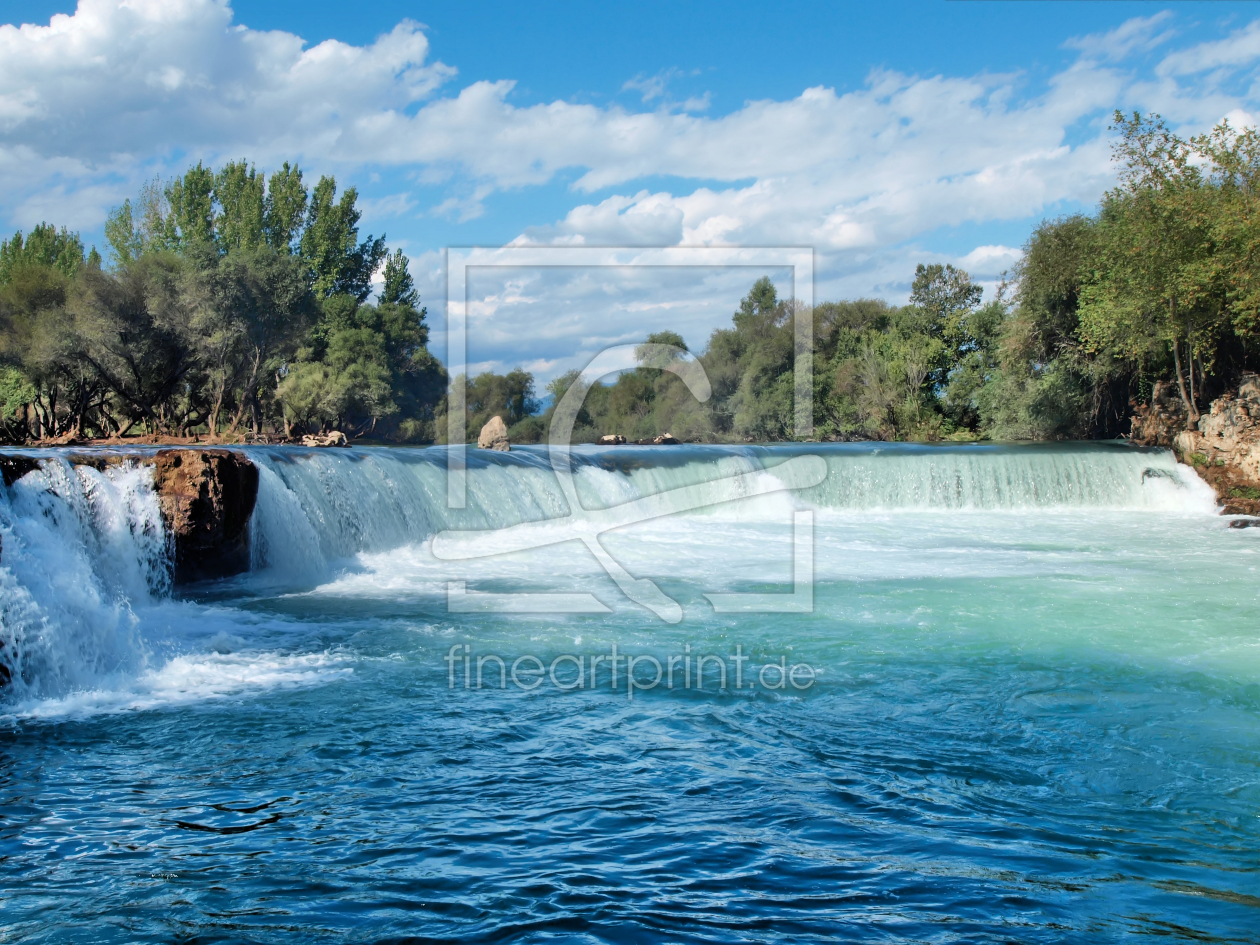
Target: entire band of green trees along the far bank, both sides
point(232, 303)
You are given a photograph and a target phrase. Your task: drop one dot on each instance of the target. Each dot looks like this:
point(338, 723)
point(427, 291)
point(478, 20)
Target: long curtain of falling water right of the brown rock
point(317, 508)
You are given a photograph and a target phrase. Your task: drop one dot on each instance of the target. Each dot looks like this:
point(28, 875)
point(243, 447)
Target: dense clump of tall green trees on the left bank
point(231, 304)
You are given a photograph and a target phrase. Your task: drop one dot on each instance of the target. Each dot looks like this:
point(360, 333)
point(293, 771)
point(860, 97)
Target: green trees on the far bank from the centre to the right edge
point(1161, 285)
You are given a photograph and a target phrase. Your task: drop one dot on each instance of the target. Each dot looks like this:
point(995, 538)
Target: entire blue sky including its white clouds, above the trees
point(881, 134)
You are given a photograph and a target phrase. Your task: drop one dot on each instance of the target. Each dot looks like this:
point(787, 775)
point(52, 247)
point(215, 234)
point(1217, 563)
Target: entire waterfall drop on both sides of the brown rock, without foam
point(84, 555)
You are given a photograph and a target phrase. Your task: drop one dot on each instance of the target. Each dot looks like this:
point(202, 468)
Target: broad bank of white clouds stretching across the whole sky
point(90, 104)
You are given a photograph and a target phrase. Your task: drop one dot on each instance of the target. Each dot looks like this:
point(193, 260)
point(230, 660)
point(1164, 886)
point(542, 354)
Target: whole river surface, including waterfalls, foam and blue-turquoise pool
point(1033, 709)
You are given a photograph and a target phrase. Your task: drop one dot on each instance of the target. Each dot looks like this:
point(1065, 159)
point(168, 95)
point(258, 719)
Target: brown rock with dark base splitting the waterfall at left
point(207, 498)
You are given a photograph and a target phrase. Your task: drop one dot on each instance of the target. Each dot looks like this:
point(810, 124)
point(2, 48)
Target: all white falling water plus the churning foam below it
point(89, 621)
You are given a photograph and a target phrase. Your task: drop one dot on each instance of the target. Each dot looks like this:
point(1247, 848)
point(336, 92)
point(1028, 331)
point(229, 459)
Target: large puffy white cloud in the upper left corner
point(147, 77)
